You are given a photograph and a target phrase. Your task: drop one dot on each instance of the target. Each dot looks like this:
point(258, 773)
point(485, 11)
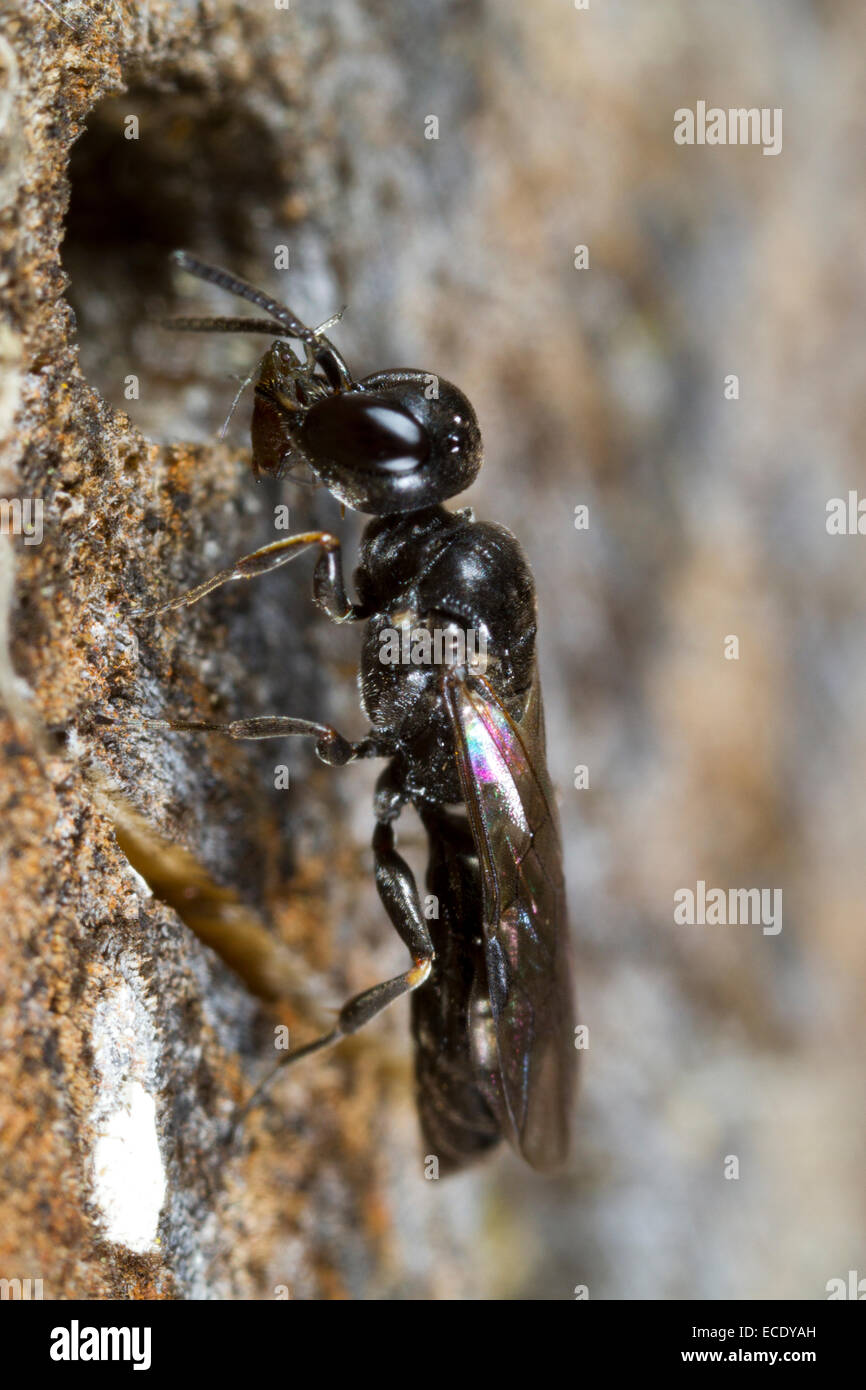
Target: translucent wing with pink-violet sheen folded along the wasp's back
point(516, 832)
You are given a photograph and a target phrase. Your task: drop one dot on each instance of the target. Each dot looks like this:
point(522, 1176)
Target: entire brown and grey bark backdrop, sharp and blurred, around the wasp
point(603, 387)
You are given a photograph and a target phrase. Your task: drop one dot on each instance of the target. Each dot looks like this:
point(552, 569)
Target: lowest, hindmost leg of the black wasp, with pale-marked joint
point(400, 894)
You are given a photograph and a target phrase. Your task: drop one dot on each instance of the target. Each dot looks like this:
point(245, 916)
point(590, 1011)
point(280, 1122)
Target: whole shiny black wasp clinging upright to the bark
point(491, 979)
